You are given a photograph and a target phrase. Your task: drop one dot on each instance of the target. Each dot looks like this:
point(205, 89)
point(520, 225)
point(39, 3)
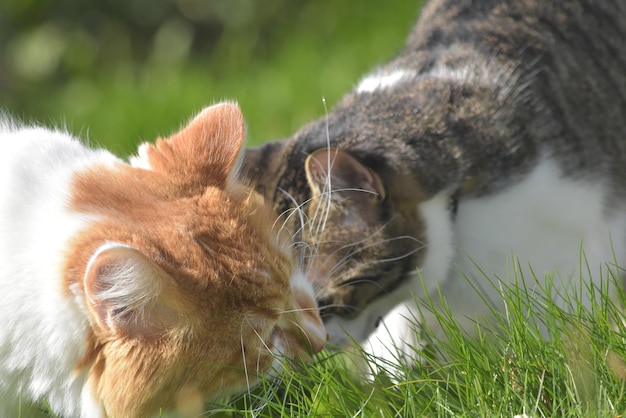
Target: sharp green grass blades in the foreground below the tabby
point(535, 358)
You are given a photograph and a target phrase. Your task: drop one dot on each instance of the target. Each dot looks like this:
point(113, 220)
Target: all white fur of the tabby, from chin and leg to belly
point(542, 220)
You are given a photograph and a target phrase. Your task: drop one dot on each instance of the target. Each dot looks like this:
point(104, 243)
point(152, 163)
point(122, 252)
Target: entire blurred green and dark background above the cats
point(119, 72)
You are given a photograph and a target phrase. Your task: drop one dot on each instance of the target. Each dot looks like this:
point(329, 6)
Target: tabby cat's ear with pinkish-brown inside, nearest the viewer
point(330, 169)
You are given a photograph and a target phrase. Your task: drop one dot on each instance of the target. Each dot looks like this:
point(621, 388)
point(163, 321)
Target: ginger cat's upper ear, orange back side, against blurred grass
point(206, 151)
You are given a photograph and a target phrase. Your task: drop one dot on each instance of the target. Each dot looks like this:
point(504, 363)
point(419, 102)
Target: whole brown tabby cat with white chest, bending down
point(499, 130)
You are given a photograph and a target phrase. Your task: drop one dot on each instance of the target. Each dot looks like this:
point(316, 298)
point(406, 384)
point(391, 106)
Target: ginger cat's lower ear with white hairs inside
point(126, 292)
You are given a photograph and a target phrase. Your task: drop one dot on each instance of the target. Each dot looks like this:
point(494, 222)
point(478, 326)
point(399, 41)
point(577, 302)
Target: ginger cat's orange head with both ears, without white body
point(189, 291)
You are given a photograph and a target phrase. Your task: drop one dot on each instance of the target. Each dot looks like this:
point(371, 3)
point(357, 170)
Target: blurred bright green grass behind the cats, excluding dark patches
point(318, 50)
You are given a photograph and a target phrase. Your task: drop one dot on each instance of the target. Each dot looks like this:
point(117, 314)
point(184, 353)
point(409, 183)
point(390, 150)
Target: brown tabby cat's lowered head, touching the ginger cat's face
point(363, 234)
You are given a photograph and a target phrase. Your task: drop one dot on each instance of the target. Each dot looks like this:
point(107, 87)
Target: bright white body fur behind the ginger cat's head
point(43, 332)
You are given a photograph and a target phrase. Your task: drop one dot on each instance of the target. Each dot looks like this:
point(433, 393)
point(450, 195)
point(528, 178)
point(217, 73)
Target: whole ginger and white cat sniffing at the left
point(131, 289)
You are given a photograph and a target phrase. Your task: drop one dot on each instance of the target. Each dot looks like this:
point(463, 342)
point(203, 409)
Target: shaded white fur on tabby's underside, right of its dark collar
point(544, 222)
